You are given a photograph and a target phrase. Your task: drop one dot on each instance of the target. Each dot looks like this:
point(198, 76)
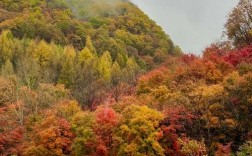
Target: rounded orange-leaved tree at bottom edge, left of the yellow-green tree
point(51, 137)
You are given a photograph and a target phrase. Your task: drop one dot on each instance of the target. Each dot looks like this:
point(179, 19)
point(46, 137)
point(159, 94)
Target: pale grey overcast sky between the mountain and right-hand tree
point(192, 24)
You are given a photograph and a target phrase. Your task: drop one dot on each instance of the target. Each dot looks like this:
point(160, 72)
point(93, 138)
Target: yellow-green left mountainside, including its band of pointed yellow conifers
point(90, 46)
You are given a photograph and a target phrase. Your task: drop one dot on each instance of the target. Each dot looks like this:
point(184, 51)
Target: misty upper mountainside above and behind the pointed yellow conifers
point(116, 26)
